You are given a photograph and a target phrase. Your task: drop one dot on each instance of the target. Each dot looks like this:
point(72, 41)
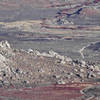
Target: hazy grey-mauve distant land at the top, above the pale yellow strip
point(12, 10)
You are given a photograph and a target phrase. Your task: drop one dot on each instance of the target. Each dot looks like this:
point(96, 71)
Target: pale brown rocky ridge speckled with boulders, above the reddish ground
point(32, 68)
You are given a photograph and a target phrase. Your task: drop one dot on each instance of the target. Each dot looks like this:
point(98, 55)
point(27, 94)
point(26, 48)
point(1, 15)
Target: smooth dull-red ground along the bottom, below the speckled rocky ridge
point(53, 92)
